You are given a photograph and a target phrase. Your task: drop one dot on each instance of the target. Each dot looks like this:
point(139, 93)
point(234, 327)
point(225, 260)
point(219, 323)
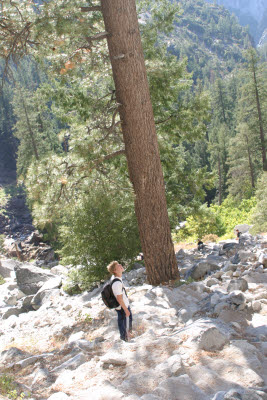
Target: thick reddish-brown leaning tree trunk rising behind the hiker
point(139, 133)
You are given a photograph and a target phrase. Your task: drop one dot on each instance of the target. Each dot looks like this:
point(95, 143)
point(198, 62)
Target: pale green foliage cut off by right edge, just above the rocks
point(259, 217)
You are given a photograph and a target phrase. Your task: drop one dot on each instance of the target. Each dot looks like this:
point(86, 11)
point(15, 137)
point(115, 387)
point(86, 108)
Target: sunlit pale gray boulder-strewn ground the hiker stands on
point(204, 340)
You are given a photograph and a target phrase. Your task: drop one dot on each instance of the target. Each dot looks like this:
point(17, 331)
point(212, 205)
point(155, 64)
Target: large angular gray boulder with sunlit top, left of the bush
point(31, 278)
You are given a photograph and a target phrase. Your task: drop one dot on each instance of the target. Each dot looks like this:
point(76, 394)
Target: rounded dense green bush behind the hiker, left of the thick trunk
point(101, 228)
